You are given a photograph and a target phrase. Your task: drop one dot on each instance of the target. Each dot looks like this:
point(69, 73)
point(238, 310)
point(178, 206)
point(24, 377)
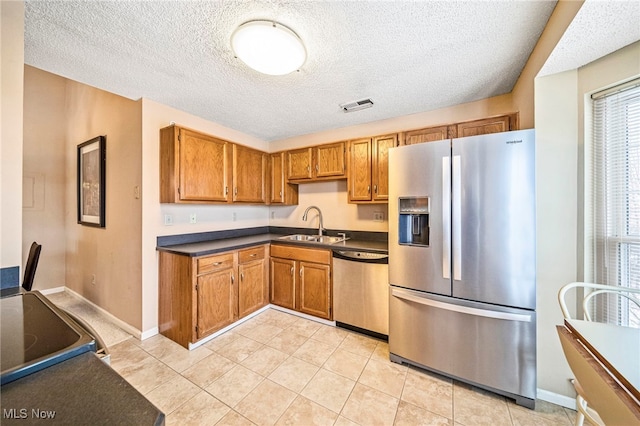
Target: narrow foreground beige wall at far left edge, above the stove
point(11, 84)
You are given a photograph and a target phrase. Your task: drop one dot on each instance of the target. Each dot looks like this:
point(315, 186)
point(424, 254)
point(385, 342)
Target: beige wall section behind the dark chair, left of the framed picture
point(44, 185)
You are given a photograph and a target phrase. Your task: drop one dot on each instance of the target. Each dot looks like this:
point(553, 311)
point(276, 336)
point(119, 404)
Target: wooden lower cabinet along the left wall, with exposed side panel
point(201, 295)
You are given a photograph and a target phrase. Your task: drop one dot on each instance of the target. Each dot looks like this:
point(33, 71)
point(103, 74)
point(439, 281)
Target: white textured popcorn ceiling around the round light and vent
point(407, 57)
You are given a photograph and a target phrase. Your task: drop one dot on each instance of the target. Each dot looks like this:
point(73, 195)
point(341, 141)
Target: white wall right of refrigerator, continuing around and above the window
point(562, 133)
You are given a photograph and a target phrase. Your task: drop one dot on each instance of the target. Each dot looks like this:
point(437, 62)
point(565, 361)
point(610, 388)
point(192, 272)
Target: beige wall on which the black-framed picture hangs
point(112, 253)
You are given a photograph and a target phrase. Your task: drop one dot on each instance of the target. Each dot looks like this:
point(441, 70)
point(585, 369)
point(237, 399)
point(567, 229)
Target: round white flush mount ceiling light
point(268, 47)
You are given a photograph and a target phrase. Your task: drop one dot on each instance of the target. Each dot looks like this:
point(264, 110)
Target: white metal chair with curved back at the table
point(592, 290)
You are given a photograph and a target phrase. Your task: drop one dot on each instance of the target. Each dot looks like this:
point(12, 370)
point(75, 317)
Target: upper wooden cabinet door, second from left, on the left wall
point(249, 175)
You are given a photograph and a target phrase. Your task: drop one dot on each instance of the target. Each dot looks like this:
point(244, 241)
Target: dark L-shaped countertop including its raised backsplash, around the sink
point(230, 240)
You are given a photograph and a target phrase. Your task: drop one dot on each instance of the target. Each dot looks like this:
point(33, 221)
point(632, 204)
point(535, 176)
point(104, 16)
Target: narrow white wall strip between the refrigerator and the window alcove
point(556, 109)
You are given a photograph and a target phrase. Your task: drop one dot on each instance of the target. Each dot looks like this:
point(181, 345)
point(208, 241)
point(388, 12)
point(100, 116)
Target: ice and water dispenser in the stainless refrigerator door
point(414, 221)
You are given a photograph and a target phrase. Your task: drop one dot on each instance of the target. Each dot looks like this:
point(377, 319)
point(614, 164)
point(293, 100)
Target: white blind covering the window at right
point(616, 200)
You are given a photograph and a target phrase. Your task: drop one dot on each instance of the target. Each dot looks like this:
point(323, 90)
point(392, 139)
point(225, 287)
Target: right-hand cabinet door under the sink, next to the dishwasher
point(314, 290)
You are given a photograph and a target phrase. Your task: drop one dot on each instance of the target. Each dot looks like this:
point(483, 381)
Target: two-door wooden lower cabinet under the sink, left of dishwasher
point(301, 280)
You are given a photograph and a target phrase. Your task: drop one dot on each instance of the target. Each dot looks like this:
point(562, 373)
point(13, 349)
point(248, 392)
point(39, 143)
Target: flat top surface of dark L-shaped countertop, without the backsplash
point(204, 248)
